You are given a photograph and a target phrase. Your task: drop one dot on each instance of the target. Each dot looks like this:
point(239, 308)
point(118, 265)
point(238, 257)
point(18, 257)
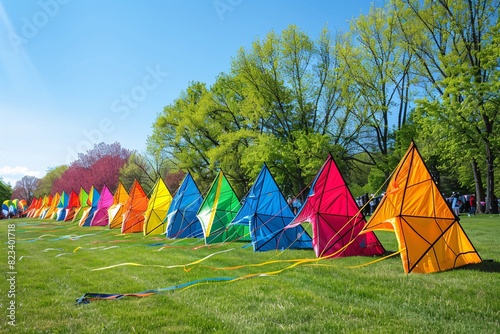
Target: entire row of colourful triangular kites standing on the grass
point(430, 237)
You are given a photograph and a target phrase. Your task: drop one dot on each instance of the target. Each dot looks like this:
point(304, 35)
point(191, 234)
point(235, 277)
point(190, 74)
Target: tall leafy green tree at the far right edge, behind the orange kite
point(456, 44)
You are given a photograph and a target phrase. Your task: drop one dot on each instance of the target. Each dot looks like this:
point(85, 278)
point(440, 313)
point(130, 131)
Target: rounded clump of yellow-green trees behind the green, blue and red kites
point(279, 105)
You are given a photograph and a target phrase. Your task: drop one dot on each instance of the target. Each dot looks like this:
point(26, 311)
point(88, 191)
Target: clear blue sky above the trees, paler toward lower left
point(77, 72)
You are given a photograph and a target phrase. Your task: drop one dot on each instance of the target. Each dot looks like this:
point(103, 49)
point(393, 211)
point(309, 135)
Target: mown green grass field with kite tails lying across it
point(55, 261)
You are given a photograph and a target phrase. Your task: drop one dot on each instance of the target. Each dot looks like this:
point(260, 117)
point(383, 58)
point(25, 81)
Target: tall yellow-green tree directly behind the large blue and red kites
point(294, 85)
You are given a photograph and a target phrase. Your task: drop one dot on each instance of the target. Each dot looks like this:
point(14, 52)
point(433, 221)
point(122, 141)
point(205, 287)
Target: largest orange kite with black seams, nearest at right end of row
point(429, 235)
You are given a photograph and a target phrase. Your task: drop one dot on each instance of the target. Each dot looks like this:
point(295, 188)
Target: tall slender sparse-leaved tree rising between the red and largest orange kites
point(377, 69)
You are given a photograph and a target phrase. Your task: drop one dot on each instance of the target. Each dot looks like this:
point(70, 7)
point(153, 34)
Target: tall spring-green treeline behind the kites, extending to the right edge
point(422, 70)
